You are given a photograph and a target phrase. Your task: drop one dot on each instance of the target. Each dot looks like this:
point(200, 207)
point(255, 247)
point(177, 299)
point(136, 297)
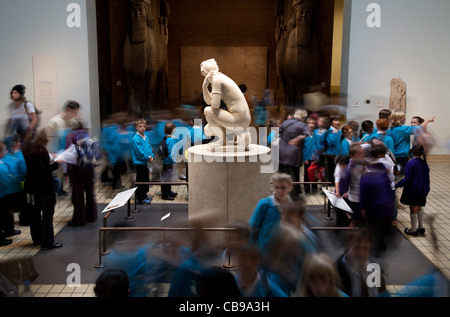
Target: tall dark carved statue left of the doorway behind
point(145, 57)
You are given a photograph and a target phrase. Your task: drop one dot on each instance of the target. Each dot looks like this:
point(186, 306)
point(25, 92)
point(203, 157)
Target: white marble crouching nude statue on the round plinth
point(236, 118)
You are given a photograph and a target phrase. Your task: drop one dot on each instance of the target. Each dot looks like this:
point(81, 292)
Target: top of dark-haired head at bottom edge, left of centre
point(112, 283)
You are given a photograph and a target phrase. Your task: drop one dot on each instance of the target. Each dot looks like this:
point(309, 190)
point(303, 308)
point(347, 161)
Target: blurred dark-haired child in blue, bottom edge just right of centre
point(251, 279)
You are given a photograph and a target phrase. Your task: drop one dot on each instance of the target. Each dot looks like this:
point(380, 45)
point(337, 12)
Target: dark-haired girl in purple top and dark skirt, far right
point(416, 186)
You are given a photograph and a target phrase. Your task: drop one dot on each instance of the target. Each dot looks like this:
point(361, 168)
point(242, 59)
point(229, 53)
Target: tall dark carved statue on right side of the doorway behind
point(297, 50)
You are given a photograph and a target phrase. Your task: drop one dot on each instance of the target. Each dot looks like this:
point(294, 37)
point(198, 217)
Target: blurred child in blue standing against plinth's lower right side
point(267, 213)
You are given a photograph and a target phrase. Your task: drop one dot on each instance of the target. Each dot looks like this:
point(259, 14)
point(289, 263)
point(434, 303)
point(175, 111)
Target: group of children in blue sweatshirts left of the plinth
point(137, 146)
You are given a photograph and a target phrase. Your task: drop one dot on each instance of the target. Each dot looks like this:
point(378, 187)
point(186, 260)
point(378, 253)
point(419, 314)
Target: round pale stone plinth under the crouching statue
point(229, 183)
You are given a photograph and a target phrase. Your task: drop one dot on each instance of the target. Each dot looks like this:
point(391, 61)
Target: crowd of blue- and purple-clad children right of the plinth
point(354, 160)
